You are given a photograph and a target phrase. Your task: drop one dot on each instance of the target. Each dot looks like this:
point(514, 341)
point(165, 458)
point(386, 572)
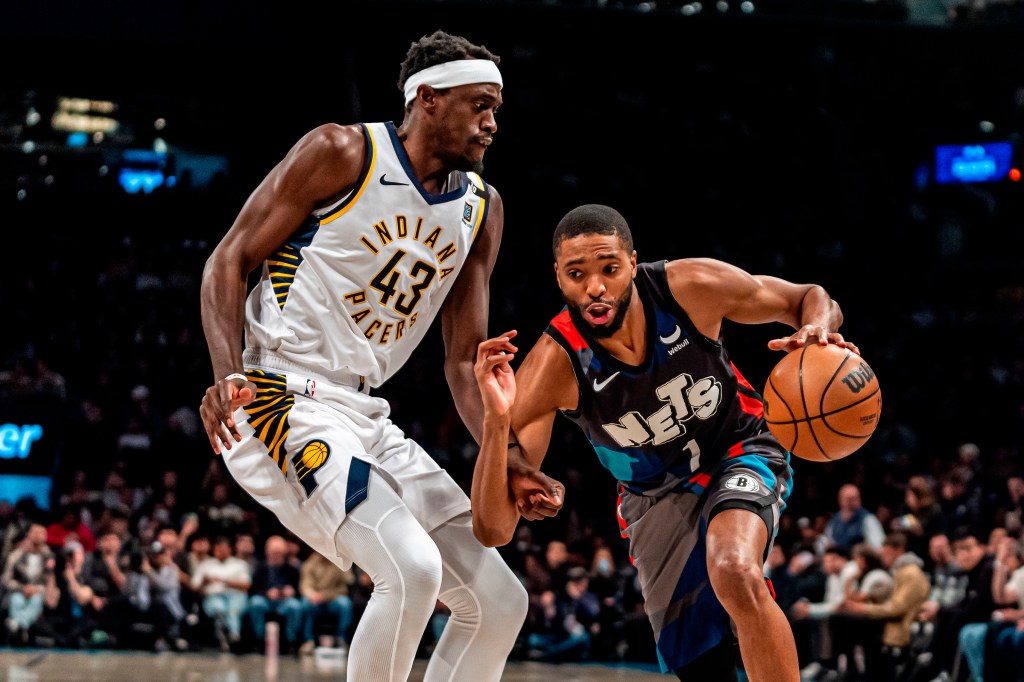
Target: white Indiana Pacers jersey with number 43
point(354, 291)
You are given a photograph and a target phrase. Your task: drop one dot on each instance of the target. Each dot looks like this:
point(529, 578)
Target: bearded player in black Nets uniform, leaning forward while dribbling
point(636, 360)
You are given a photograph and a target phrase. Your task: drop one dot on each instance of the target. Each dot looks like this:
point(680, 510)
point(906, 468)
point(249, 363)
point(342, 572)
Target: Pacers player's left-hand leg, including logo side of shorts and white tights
point(308, 462)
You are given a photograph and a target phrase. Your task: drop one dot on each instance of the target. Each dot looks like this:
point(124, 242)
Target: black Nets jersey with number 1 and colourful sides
point(665, 424)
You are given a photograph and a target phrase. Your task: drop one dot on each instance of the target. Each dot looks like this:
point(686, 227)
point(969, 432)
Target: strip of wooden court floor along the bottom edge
point(63, 666)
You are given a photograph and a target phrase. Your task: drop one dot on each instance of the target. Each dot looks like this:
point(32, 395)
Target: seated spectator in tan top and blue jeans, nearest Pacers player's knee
point(325, 592)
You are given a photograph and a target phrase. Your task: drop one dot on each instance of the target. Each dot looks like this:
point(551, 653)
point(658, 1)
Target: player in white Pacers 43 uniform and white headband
point(365, 233)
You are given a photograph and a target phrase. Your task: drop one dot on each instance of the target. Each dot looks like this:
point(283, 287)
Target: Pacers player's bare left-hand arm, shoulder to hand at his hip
point(323, 165)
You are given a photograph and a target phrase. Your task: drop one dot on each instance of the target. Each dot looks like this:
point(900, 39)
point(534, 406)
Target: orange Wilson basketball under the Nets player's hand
point(823, 403)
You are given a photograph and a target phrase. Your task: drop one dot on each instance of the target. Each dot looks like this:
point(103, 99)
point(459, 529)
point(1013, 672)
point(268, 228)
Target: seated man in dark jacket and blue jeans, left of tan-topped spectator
point(275, 590)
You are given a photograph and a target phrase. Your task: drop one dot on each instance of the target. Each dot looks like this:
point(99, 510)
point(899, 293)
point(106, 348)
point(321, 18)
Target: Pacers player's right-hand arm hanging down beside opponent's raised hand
point(464, 318)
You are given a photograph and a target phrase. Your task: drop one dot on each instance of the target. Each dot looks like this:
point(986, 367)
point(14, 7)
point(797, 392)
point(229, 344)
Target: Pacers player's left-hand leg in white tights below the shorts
point(388, 542)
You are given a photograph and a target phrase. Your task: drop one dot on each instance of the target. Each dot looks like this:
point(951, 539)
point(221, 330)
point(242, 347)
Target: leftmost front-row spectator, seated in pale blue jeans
point(25, 577)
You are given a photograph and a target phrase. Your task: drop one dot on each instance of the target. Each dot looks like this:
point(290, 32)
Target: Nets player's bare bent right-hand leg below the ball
point(743, 505)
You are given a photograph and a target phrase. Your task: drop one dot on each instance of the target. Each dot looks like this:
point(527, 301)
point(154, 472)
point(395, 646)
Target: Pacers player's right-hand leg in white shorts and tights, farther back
point(488, 602)
